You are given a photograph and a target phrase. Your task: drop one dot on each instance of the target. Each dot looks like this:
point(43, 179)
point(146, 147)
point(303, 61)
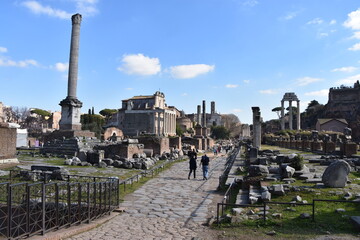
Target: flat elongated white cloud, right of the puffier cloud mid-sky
point(190, 71)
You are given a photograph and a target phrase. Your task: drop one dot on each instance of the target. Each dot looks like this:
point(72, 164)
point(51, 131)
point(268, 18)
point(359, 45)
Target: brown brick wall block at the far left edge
point(7, 142)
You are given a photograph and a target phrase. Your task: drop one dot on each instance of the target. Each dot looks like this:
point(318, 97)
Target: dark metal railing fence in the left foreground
point(27, 209)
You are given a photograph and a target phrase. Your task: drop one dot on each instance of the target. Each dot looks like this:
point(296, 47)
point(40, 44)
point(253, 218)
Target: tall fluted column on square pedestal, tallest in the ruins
point(70, 106)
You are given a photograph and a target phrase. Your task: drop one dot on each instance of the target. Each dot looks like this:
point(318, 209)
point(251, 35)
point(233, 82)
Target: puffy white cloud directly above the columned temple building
point(138, 64)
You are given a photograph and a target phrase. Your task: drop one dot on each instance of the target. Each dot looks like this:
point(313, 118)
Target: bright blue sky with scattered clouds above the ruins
point(238, 53)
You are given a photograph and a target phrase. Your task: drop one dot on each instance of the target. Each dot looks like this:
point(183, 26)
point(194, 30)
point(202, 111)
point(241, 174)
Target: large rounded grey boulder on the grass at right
point(336, 174)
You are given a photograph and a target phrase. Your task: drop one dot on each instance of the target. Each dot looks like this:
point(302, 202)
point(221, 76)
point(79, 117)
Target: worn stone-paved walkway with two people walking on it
point(167, 207)
